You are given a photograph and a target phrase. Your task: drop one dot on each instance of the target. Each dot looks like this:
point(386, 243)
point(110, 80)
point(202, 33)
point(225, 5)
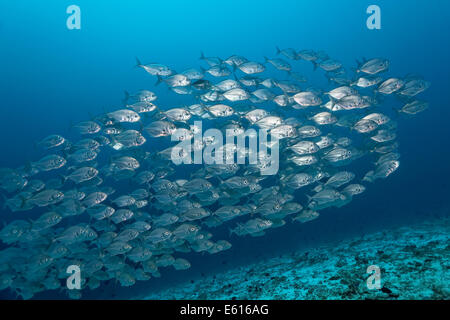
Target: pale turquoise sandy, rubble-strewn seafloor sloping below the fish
point(414, 263)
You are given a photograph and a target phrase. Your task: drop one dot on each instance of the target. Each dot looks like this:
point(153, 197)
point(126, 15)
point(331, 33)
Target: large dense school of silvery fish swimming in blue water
point(111, 201)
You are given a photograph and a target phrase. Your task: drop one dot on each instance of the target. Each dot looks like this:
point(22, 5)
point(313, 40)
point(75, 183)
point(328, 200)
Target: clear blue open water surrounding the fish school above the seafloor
point(51, 77)
